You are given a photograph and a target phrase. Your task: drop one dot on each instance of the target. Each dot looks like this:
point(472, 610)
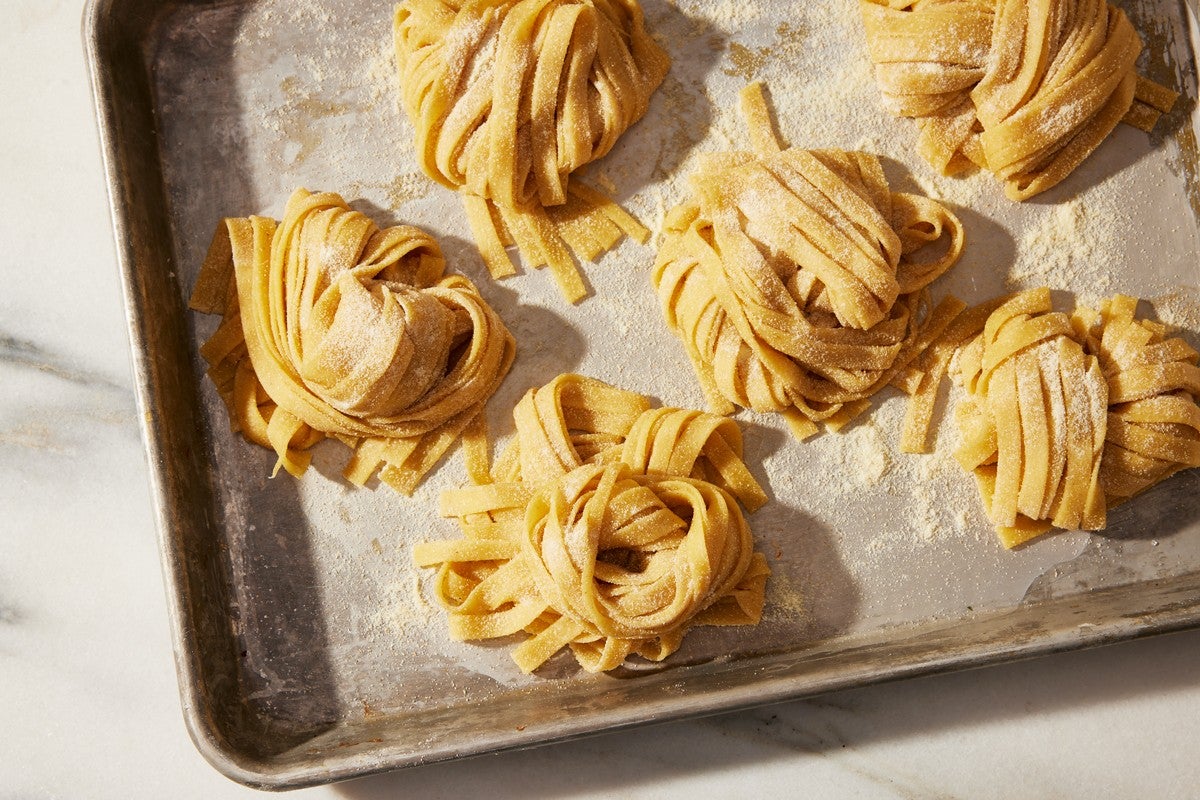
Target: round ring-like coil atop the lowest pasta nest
point(634, 556)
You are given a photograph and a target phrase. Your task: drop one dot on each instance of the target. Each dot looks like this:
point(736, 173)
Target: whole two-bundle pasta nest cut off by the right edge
point(1066, 417)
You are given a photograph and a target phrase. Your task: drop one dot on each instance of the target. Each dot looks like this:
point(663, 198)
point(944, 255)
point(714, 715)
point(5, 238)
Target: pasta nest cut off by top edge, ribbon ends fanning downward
point(509, 98)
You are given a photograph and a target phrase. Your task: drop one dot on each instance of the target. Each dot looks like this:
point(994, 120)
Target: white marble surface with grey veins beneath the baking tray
point(88, 697)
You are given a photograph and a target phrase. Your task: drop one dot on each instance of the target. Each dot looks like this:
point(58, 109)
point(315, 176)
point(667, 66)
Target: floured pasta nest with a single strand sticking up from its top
point(794, 280)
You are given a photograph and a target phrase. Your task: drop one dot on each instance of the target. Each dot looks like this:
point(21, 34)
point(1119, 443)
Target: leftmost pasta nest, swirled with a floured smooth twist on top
point(334, 328)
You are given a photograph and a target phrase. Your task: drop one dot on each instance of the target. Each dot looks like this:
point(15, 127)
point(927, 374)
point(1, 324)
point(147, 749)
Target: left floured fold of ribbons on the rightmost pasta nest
point(1034, 420)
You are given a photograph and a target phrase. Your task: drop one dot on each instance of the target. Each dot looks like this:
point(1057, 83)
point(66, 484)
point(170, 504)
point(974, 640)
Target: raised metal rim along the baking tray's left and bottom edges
point(274, 775)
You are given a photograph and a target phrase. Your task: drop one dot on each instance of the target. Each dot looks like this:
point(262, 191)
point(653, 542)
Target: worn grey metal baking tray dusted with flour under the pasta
point(307, 646)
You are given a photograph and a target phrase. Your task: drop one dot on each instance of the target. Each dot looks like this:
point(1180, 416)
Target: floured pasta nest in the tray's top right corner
point(1027, 89)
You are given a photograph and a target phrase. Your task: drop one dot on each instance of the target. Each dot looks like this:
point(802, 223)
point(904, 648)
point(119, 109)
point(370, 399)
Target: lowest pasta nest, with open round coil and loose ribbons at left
point(608, 526)
